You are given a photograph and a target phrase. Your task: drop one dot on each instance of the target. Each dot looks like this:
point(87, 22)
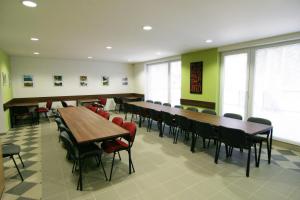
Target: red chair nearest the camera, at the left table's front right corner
point(117, 145)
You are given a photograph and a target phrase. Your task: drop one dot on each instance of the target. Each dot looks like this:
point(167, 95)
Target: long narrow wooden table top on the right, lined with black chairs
point(247, 127)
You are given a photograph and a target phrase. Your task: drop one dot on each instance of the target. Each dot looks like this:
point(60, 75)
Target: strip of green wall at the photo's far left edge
point(6, 89)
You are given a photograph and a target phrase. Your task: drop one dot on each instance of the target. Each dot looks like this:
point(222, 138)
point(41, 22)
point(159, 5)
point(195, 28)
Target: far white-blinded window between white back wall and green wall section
point(164, 82)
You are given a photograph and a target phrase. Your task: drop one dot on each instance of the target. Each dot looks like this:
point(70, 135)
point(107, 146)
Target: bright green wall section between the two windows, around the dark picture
point(211, 75)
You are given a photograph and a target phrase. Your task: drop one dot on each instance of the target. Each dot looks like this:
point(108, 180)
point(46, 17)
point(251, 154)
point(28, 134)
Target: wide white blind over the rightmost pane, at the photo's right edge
point(276, 89)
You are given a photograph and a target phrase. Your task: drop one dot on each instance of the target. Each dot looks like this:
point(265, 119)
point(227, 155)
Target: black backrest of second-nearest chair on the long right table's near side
point(205, 130)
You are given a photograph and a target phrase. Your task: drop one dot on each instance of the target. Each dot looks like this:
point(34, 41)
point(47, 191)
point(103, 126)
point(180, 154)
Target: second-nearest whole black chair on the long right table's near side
point(204, 130)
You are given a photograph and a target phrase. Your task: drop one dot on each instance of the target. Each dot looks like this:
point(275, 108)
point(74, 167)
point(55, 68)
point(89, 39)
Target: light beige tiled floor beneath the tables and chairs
point(163, 171)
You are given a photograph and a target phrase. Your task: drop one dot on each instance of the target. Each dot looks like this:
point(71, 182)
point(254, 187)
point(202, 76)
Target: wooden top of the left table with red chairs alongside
point(87, 126)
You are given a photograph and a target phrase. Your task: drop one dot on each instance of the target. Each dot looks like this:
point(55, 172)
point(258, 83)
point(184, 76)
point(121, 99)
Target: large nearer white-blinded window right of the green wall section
point(273, 82)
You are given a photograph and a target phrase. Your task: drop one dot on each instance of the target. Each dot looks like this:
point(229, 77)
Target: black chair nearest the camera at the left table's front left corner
point(79, 153)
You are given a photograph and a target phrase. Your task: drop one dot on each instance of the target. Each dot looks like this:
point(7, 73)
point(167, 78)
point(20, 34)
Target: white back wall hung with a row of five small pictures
point(43, 70)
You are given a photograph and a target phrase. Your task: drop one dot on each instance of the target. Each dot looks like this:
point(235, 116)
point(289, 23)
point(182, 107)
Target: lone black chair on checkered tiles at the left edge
point(9, 150)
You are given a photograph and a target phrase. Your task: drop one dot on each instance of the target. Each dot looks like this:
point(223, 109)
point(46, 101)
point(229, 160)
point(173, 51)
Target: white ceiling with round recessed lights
point(77, 29)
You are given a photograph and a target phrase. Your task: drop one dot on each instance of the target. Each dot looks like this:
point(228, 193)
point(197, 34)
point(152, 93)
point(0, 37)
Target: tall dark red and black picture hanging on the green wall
point(196, 73)
